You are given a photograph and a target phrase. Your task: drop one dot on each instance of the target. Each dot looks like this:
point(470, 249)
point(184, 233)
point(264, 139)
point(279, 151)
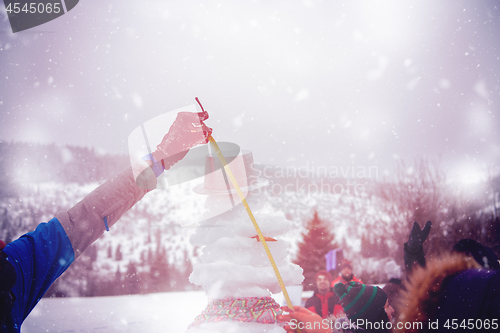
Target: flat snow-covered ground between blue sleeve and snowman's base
point(160, 312)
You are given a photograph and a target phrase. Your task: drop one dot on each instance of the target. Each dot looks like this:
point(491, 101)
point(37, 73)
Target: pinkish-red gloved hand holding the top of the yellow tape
point(187, 131)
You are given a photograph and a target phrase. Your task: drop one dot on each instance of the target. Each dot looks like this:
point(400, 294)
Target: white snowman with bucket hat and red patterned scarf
point(234, 268)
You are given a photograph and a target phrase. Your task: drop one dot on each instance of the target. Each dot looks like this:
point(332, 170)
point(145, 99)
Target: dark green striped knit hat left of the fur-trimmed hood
point(361, 301)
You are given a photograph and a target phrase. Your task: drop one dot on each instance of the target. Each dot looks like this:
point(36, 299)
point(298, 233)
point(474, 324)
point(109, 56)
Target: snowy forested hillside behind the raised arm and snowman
point(148, 250)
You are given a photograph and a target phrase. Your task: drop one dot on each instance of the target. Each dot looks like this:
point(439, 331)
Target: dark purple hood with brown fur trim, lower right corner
point(436, 292)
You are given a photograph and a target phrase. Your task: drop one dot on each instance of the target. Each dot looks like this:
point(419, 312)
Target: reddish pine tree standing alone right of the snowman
point(315, 244)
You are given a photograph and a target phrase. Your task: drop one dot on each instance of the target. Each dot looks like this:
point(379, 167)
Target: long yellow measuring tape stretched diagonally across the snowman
point(256, 226)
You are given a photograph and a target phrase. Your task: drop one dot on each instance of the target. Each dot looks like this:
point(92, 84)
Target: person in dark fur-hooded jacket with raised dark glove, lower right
point(459, 292)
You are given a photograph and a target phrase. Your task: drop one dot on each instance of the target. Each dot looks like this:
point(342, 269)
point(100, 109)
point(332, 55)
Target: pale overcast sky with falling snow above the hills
point(318, 83)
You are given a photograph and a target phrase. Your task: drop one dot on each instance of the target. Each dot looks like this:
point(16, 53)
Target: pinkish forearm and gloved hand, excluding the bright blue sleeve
point(99, 210)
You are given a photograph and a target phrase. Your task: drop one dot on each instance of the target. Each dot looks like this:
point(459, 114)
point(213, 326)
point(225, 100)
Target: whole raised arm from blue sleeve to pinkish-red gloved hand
point(30, 264)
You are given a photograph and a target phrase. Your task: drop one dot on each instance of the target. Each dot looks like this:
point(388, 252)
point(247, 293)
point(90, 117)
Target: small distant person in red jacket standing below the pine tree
point(324, 301)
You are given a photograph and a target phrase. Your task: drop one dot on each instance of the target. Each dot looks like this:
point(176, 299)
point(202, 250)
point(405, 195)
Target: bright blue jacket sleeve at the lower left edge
point(39, 258)
